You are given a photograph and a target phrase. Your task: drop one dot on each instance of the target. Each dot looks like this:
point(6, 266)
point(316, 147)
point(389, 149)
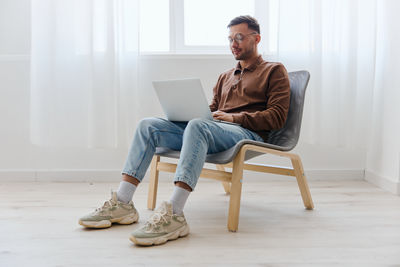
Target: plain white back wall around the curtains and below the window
point(21, 160)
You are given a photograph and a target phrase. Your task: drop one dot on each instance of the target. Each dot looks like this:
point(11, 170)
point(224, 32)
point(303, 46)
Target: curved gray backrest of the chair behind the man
point(288, 136)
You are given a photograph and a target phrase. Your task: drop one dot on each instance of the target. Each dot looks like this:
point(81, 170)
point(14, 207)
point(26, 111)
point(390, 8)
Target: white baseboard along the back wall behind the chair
point(114, 175)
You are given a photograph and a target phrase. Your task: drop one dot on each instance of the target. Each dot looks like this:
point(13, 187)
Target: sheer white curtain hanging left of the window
point(83, 72)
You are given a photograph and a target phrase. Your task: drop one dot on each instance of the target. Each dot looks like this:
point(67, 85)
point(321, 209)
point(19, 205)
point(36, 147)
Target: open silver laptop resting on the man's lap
point(183, 100)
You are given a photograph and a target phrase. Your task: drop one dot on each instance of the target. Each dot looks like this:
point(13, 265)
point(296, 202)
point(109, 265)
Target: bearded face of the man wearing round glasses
point(244, 41)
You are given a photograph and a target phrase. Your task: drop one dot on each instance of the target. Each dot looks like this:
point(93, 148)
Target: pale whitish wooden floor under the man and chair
point(354, 224)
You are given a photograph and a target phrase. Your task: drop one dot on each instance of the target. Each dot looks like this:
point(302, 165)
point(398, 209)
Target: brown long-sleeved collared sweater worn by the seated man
point(259, 96)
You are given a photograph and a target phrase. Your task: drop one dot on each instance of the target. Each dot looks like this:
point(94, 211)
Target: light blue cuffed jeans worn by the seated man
point(195, 139)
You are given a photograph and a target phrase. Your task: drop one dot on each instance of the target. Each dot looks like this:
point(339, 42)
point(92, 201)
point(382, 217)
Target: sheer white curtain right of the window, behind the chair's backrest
point(335, 40)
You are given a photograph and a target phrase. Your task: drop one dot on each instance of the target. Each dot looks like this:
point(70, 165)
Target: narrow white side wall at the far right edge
point(383, 157)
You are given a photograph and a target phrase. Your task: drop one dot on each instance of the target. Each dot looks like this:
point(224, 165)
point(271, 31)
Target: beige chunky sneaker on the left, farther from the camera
point(112, 211)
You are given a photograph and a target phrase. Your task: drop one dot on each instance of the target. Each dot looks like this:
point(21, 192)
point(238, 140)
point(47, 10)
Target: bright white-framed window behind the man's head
point(193, 26)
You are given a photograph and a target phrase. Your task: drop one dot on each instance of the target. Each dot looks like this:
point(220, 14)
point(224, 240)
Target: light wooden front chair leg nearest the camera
point(236, 191)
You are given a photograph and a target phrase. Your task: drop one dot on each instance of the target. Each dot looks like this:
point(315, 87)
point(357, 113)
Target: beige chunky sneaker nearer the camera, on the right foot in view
point(162, 226)
